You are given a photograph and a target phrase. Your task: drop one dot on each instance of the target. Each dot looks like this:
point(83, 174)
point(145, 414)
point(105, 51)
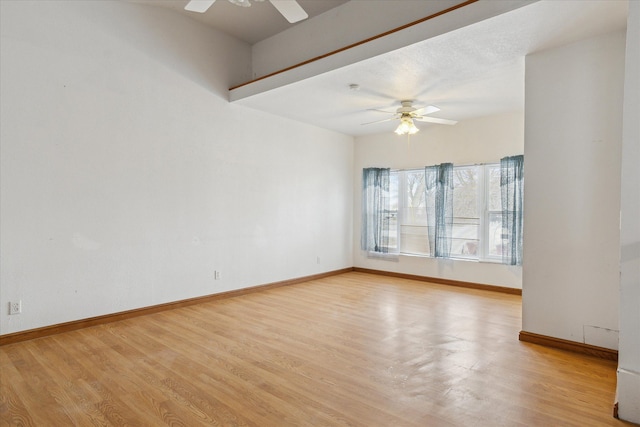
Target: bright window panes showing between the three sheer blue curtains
point(477, 213)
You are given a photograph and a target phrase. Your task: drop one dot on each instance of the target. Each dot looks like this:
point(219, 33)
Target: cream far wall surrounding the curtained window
point(484, 140)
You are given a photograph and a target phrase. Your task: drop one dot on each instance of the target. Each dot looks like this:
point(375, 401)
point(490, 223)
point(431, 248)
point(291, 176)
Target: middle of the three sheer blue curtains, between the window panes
point(439, 202)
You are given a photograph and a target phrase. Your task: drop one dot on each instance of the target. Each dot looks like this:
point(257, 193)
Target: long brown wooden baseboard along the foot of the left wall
point(114, 317)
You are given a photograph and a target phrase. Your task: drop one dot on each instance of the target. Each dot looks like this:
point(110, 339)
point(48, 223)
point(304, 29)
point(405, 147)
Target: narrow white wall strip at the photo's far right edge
point(629, 361)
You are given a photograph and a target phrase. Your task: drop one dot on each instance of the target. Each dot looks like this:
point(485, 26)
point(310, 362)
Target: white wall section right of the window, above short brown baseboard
point(573, 111)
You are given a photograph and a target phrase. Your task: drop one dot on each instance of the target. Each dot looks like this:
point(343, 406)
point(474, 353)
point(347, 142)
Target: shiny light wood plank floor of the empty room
point(354, 349)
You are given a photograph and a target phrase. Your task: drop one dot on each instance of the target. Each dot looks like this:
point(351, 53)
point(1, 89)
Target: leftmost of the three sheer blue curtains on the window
point(375, 208)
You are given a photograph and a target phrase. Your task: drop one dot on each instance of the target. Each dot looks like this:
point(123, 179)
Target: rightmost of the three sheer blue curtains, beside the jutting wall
point(511, 191)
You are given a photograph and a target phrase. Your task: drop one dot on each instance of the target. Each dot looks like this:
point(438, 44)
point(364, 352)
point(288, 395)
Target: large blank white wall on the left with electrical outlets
point(127, 178)
